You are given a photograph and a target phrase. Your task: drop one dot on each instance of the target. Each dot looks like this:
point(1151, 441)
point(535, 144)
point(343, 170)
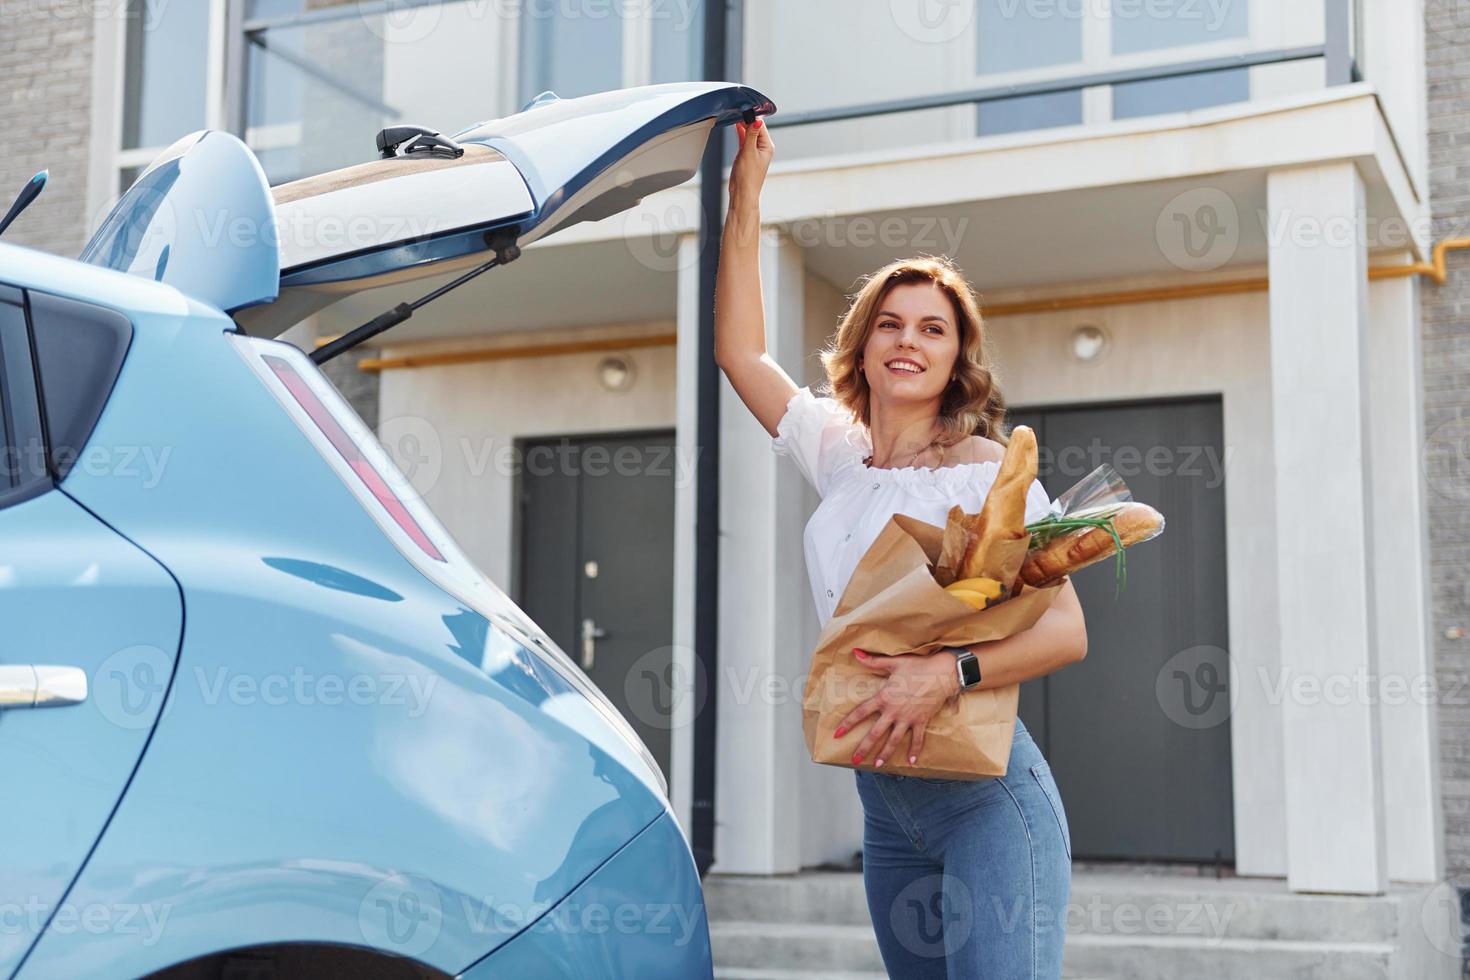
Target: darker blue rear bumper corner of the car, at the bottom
point(611, 928)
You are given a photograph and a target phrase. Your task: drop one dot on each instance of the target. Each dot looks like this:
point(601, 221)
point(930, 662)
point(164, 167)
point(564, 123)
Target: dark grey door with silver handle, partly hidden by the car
point(596, 543)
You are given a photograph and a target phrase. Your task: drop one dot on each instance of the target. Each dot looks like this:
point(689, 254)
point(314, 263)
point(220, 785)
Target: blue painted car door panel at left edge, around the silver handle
point(73, 593)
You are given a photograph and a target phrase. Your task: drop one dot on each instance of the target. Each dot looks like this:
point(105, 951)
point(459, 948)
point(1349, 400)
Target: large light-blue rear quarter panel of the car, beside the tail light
point(261, 815)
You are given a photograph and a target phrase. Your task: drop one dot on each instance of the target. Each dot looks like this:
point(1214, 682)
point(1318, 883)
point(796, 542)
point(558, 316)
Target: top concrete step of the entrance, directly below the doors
point(1100, 904)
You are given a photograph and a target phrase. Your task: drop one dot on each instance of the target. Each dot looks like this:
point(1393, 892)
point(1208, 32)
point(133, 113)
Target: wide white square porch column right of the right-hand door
point(1319, 318)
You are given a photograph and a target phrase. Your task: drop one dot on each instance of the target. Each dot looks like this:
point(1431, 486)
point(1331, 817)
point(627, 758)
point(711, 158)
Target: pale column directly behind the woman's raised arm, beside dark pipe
point(764, 594)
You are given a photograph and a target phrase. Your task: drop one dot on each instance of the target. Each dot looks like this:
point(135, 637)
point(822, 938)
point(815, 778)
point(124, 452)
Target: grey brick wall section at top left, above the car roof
point(46, 65)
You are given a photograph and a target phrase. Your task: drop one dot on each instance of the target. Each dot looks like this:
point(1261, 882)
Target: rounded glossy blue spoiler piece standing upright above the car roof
point(201, 220)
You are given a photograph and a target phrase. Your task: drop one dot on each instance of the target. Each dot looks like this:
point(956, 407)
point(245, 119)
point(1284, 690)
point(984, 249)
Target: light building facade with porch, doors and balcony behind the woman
point(1215, 281)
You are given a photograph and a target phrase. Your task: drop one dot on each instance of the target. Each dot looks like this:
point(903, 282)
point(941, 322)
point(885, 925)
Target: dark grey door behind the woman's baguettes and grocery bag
point(1139, 734)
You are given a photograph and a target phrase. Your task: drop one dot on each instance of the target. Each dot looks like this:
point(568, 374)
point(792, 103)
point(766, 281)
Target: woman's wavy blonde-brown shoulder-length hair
point(972, 403)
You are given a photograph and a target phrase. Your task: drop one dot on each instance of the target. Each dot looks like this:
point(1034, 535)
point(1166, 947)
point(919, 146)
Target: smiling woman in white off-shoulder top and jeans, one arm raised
point(964, 878)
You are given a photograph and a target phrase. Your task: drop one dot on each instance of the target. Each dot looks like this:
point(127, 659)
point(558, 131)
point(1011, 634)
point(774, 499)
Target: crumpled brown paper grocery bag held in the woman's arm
point(893, 605)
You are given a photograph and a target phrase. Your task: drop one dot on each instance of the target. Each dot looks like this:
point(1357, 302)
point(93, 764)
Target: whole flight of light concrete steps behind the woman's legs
point(1119, 926)
